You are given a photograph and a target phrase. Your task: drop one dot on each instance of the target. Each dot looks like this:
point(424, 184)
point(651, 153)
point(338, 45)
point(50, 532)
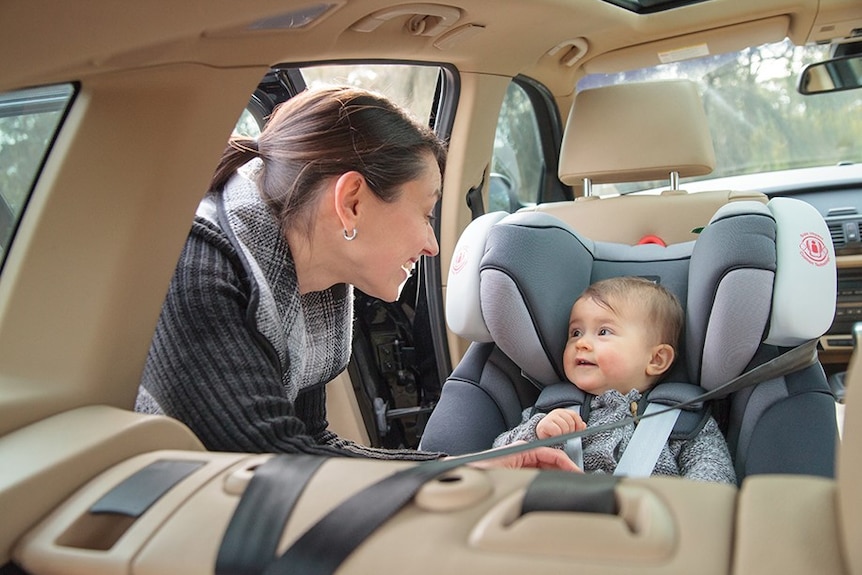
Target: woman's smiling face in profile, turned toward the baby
point(394, 235)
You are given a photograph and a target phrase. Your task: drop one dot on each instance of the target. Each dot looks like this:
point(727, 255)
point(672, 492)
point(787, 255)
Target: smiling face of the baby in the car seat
point(607, 350)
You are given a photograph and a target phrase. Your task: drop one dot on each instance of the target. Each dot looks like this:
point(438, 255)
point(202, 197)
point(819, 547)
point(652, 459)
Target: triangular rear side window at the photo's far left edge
point(28, 122)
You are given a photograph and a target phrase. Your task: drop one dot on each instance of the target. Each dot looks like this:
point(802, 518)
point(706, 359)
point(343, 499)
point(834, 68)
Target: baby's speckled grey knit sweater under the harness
point(704, 457)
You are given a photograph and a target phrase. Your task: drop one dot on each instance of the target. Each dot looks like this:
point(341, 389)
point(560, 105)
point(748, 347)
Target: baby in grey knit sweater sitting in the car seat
point(623, 335)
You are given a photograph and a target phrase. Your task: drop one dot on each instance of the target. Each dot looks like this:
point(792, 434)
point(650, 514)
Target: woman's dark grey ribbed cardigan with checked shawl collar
point(238, 354)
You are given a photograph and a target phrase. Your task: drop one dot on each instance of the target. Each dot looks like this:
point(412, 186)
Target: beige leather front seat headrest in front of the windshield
point(636, 132)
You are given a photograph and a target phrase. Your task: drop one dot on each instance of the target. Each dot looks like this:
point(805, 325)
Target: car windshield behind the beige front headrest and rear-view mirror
point(759, 122)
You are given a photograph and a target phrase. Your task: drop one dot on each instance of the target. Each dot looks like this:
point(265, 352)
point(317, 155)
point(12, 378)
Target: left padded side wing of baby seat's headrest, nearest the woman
point(512, 280)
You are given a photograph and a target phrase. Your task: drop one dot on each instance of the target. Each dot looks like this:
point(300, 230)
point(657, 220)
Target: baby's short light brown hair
point(663, 311)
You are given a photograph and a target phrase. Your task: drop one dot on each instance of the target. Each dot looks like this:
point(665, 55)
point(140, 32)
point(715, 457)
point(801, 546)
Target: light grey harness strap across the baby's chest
point(649, 438)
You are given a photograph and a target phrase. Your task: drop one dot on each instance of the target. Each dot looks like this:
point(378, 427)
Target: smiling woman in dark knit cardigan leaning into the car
point(338, 191)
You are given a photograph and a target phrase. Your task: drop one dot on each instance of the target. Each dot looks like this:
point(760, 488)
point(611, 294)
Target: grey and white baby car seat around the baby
point(759, 280)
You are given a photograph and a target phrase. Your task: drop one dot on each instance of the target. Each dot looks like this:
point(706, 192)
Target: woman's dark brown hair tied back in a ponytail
point(321, 133)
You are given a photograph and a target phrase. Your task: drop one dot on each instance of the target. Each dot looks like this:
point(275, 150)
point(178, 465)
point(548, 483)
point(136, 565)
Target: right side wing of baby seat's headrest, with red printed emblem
point(759, 274)
